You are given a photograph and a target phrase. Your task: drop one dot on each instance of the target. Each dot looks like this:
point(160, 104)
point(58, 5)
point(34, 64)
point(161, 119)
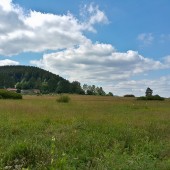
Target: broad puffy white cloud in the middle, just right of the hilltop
point(97, 63)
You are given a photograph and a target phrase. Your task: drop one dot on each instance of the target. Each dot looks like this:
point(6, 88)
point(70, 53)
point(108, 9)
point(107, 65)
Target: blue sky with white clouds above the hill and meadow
point(123, 46)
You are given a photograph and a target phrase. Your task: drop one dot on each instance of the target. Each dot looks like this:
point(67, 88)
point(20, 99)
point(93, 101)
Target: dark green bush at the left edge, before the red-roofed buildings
point(9, 95)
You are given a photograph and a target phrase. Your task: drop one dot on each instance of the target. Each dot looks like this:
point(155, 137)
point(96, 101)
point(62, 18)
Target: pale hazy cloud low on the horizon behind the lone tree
point(138, 87)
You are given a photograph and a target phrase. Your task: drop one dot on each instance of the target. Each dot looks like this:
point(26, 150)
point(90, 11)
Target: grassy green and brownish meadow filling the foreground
point(89, 132)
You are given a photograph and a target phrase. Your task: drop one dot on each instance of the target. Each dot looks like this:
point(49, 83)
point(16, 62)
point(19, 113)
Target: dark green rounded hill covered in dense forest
point(29, 77)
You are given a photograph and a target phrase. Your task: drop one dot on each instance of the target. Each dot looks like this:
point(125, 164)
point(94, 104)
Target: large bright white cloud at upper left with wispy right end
point(34, 31)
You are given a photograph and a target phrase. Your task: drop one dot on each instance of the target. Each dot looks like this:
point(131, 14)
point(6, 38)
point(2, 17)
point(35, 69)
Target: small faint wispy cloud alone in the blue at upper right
point(146, 38)
